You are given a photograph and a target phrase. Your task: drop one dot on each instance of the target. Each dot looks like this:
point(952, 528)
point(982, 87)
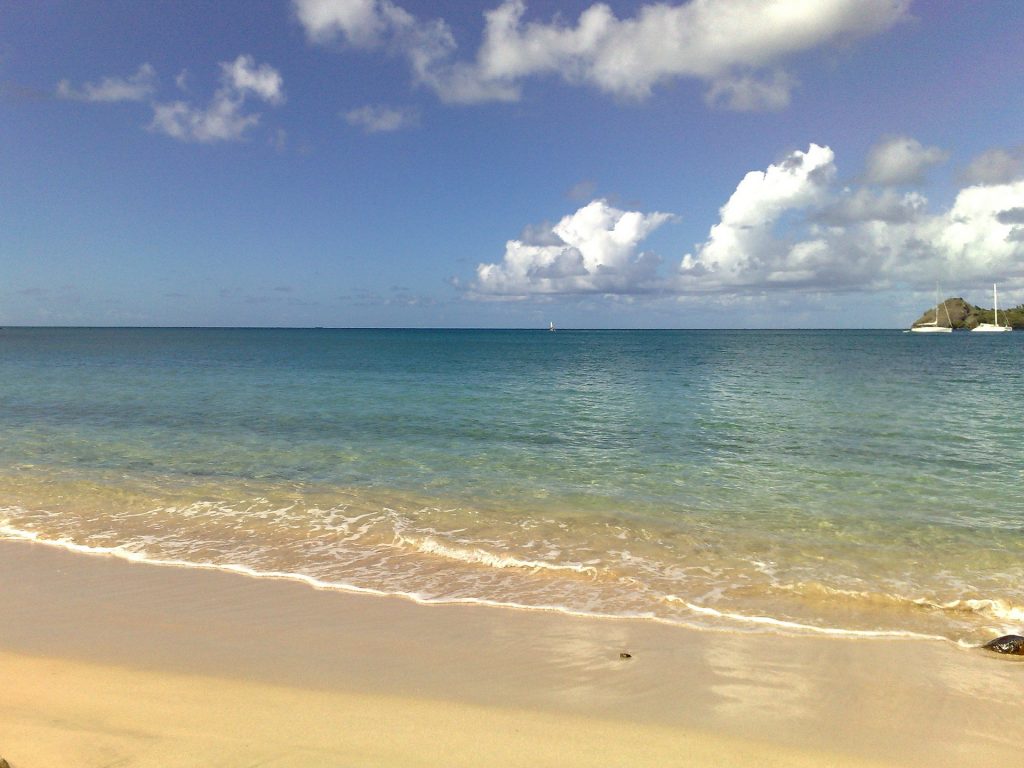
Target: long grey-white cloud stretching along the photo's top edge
point(735, 47)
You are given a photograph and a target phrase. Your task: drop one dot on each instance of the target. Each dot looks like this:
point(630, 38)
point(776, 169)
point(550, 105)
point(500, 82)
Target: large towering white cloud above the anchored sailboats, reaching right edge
point(796, 230)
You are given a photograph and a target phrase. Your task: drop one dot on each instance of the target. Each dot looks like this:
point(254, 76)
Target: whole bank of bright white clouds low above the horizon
point(790, 228)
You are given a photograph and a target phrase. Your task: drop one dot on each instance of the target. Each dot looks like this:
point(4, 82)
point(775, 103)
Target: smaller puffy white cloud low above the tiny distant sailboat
point(594, 250)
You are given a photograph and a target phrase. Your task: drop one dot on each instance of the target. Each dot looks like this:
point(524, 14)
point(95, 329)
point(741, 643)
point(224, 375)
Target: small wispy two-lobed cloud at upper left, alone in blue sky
point(225, 118)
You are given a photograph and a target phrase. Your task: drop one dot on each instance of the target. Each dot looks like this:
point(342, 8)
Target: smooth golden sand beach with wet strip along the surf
point(238, 648)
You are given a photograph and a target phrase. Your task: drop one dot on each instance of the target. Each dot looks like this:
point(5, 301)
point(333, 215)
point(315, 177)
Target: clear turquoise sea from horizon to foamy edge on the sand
point(802, 482)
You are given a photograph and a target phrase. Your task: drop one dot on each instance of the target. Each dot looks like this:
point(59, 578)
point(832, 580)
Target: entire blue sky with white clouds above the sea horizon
point(506, 164)
